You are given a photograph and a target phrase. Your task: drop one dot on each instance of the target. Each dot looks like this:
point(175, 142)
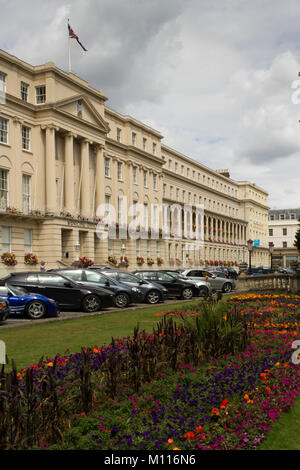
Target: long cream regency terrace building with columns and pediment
point(64, 153)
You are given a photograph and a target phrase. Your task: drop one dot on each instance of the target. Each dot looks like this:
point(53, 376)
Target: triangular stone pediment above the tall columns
point(81, 107)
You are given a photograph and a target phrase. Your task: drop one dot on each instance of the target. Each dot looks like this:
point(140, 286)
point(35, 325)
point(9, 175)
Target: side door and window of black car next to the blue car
point(61, 289)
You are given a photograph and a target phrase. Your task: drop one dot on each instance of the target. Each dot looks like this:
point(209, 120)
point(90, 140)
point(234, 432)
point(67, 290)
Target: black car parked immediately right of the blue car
point(68, 294)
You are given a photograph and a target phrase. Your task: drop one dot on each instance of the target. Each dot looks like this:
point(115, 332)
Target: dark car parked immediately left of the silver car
point(176, 287)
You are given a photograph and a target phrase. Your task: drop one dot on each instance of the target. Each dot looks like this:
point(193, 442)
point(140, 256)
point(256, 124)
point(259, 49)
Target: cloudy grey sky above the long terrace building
point(218, 78)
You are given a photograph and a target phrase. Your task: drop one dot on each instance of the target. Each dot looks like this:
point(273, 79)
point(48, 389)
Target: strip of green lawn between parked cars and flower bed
point(27, 345)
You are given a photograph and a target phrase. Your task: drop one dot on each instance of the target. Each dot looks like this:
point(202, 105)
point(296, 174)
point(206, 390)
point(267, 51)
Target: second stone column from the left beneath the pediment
point(69, 173)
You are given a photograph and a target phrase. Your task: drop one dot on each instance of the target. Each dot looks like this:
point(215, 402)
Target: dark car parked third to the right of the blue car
point(152, 292)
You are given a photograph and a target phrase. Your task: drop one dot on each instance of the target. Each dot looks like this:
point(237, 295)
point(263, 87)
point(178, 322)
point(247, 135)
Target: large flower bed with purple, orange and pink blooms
point(227, 402)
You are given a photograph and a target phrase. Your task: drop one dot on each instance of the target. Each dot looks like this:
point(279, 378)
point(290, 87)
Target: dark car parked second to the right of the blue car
point(124, 295)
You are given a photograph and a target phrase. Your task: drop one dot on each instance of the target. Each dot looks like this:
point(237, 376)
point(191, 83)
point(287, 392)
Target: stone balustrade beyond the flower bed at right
point(267, 282)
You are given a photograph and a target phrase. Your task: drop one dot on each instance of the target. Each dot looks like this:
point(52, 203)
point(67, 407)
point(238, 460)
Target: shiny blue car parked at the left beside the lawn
point(33, 306)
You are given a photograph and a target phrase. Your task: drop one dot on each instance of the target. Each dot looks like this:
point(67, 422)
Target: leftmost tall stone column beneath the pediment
point(50, 170)
